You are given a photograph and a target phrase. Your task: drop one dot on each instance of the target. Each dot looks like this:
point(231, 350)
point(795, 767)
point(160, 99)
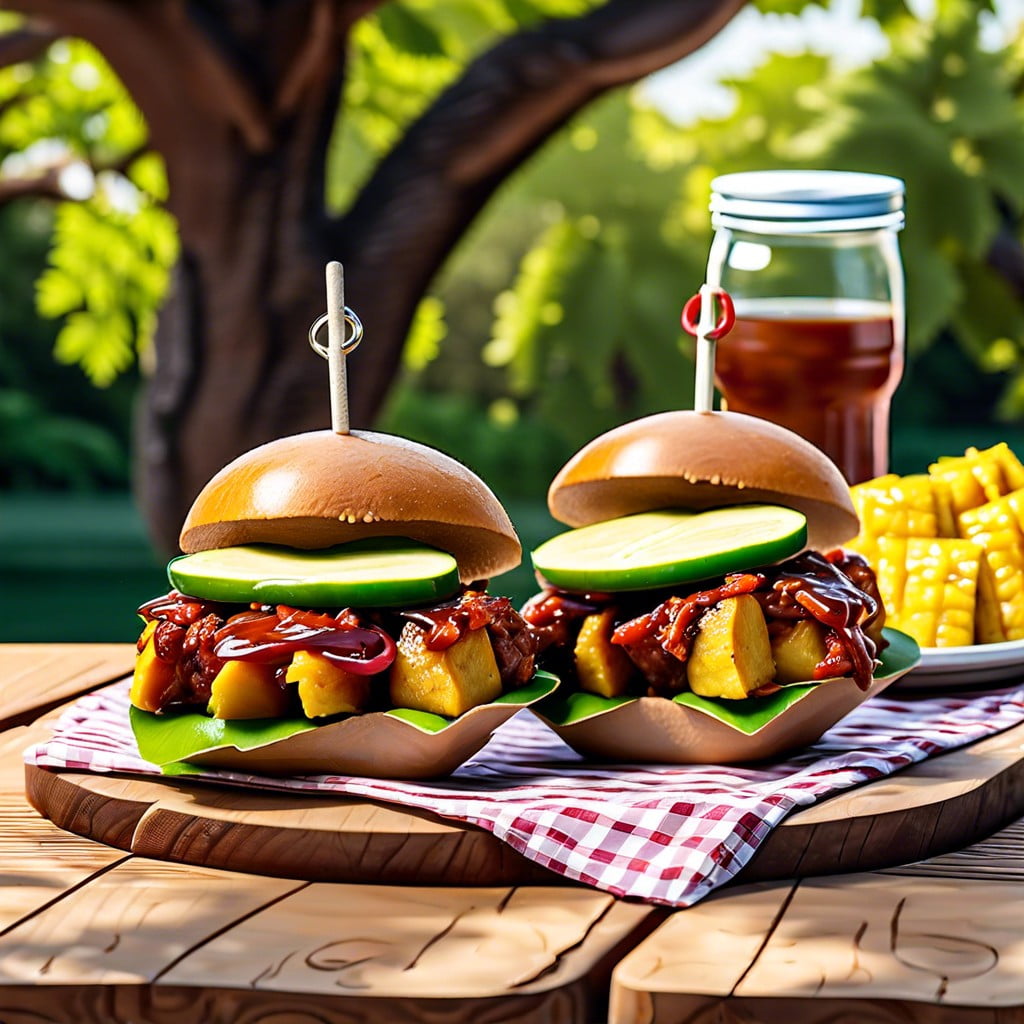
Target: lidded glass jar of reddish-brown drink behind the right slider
point(812, 261)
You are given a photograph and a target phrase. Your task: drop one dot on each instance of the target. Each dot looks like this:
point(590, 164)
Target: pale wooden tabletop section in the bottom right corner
point(868, 948)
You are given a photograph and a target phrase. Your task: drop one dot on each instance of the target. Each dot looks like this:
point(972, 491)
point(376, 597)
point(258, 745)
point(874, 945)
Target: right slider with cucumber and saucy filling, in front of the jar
point(707, 562)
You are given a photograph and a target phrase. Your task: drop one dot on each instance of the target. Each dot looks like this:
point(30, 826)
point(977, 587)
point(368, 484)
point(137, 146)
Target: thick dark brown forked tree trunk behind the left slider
point(241, 99)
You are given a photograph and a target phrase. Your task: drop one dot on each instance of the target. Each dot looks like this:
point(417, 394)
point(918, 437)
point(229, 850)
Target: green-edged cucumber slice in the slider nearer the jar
point(661, 549)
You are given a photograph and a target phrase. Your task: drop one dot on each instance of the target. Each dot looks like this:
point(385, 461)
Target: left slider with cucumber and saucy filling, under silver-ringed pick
point(328, 576)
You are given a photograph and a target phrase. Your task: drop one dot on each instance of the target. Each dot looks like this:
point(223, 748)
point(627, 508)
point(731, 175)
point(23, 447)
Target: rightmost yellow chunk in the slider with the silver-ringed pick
point(447, 682)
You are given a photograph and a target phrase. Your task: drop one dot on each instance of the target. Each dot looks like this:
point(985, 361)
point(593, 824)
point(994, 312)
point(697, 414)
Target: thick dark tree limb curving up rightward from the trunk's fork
point(511, 100)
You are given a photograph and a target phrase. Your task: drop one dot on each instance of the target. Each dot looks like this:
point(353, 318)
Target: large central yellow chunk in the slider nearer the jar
point(732, 655)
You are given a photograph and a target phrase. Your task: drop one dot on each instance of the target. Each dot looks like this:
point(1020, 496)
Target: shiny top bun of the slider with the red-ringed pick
point(704, 460)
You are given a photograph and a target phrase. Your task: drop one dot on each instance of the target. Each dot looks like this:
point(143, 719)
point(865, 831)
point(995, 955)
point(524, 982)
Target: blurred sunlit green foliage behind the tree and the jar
point(559, 315)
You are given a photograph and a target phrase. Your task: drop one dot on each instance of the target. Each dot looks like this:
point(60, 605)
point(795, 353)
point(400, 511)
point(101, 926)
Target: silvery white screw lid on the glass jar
point(799, 202)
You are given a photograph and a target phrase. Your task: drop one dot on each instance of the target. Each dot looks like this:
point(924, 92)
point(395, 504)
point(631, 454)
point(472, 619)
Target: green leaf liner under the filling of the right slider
point(748, 716)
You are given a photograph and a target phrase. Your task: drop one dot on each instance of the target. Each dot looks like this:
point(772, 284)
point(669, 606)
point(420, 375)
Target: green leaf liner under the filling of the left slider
point(169, 741)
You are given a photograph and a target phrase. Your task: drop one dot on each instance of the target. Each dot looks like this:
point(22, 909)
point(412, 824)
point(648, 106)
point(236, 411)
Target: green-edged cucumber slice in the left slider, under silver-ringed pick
point(376, 573)
